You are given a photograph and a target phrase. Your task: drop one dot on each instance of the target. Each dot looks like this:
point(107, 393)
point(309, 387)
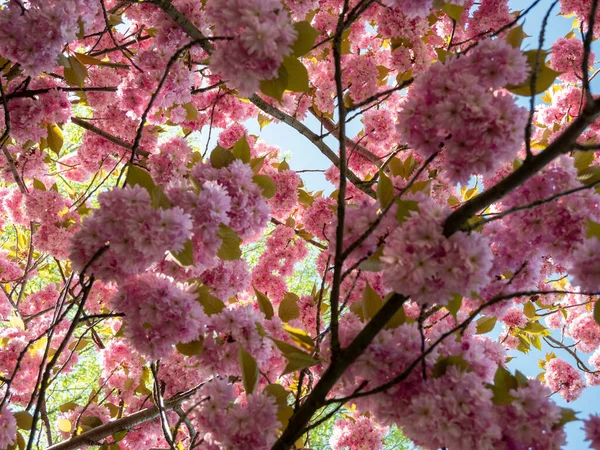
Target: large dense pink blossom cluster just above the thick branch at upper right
point(456, 106)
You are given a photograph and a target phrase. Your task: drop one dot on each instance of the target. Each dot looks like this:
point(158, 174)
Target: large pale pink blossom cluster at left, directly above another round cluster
point(137, 234)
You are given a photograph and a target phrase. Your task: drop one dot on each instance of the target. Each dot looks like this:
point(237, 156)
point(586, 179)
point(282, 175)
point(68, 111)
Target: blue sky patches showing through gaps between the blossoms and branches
point(303, 155)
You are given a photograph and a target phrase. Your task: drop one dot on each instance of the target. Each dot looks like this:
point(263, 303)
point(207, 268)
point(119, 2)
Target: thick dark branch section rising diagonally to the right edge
point(562, 144)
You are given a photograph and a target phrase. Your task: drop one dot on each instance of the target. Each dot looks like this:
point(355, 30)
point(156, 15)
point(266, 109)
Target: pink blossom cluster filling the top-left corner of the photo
point(55, 23)
